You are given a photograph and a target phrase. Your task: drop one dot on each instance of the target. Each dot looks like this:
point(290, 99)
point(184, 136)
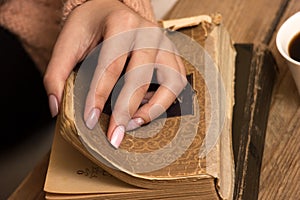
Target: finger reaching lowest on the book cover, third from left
point(137, 80)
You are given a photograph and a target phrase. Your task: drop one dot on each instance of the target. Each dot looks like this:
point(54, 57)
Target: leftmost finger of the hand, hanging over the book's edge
point(64, 57)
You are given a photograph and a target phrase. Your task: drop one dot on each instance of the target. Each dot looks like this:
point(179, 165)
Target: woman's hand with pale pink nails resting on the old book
point(147, 50)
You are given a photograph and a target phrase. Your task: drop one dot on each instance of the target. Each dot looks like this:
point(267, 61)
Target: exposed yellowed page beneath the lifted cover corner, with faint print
point(69, 172)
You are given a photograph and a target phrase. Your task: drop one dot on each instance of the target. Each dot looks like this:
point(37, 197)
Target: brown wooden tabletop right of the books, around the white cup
point(258, 22)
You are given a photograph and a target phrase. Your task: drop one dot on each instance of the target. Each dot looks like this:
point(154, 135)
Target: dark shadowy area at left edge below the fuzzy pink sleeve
point(26, 125)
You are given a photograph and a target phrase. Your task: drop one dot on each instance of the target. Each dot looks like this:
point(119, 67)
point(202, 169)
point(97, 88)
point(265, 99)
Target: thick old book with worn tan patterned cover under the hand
point(186, 154)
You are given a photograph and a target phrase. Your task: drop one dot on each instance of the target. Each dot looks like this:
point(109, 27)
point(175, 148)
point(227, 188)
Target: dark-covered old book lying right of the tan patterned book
point(256, 72)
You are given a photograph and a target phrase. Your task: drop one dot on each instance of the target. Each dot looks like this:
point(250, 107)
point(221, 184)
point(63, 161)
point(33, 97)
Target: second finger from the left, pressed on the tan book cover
point(114, 51)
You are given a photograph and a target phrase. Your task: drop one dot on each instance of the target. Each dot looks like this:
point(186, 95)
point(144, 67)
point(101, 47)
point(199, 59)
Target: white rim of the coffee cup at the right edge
point(279, 33)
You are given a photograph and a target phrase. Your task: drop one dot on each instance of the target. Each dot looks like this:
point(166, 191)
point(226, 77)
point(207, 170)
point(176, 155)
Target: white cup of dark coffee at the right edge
point(285, 34)
